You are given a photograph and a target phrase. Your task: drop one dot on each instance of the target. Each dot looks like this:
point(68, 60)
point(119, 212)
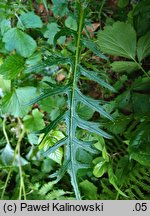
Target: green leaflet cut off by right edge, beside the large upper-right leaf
point(143, 47)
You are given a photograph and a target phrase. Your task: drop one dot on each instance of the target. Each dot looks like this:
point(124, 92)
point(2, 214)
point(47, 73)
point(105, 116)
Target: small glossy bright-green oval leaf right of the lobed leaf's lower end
point(100, 168)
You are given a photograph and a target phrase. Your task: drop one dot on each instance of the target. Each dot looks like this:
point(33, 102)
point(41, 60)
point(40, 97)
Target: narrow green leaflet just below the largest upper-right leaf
point(124, 66)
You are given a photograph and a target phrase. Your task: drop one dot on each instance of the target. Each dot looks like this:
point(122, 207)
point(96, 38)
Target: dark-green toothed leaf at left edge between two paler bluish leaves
point(12, 66)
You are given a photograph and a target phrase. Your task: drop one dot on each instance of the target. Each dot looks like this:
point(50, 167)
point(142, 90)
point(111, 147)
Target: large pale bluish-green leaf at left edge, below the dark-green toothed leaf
point(14, 102)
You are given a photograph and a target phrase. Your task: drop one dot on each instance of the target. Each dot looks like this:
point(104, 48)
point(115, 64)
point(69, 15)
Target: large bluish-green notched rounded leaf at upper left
point(19, 40)
